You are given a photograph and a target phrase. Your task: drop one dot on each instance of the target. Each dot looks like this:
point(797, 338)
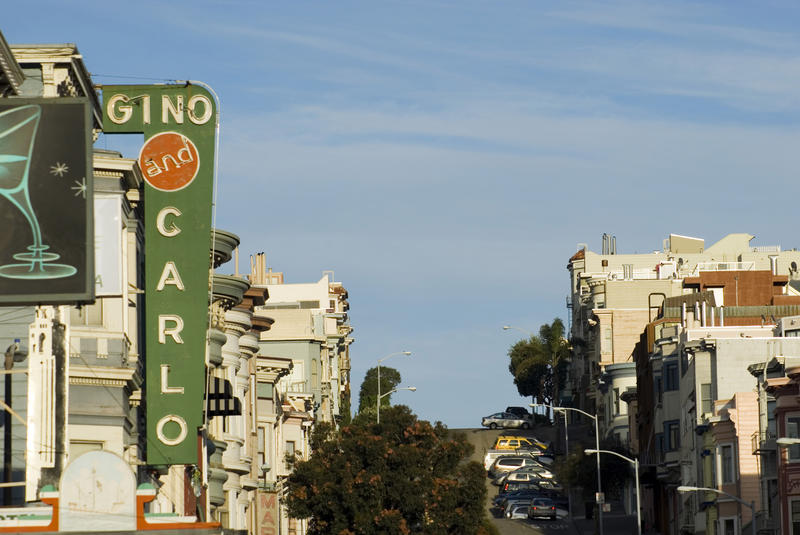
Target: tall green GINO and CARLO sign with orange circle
point(177, 161)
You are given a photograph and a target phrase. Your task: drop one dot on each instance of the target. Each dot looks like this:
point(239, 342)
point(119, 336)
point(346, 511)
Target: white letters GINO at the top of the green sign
point(198, 108)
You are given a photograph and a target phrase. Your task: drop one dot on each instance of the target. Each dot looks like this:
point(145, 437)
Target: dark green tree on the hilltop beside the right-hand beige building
point(539, 363)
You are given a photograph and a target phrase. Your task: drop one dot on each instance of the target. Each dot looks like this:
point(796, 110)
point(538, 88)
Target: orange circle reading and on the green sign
point(169, 161)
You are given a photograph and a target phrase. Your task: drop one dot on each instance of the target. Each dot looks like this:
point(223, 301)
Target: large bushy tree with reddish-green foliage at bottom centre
point(400, 477)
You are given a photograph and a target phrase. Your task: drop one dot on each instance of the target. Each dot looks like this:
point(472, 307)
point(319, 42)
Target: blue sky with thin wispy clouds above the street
point(446, 158)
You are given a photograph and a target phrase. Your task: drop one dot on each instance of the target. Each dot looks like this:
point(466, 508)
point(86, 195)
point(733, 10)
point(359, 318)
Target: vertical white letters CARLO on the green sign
point(169, 324)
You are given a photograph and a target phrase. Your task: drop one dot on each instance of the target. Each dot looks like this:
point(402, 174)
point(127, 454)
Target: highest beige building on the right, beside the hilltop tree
point(614, 296)
